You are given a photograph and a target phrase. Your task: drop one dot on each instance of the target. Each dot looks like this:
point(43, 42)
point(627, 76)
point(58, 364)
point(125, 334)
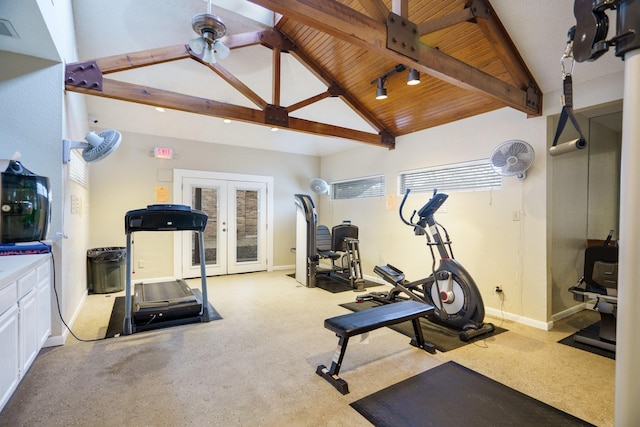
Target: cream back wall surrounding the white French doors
point(127, 179)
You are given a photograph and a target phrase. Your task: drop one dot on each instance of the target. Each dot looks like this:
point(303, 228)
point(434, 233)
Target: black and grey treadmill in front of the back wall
point(155, 305)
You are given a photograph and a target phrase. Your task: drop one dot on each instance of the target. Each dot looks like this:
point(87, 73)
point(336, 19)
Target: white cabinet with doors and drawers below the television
point(25, 316)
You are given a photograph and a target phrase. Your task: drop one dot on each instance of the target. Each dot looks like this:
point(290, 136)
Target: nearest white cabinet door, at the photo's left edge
point(9, 354)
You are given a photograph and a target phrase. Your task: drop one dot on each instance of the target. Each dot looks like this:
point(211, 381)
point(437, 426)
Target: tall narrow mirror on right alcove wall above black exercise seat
point(605, 138)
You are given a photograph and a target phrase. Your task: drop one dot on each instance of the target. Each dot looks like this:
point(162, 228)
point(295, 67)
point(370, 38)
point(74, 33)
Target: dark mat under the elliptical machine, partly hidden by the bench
point(442, 337)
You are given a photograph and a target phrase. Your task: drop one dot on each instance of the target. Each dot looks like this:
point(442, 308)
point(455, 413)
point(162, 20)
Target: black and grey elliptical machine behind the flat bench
point(449, 288)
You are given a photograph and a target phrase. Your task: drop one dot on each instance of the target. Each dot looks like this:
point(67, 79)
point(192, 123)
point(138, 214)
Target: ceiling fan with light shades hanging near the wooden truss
point(211, 29)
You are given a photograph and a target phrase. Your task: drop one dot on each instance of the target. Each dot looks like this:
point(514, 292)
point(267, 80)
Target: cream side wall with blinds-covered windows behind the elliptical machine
point(486, 240)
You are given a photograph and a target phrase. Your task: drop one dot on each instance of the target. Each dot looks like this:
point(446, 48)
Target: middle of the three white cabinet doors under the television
point(28, 330)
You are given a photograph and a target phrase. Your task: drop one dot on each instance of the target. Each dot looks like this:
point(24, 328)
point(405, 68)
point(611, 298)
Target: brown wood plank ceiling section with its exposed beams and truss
point(468, 66)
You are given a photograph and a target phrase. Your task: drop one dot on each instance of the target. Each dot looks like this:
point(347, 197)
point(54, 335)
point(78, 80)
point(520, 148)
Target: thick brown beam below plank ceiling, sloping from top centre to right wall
point(338, 20)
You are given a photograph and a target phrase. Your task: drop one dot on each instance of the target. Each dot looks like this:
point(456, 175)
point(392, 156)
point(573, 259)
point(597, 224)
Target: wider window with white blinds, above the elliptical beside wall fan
point(477, 175)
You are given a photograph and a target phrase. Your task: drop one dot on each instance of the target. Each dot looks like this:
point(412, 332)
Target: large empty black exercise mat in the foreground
point(453, 395)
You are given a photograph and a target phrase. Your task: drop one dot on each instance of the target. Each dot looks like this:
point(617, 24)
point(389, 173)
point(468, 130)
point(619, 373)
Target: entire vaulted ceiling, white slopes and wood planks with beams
point(310, 64)
